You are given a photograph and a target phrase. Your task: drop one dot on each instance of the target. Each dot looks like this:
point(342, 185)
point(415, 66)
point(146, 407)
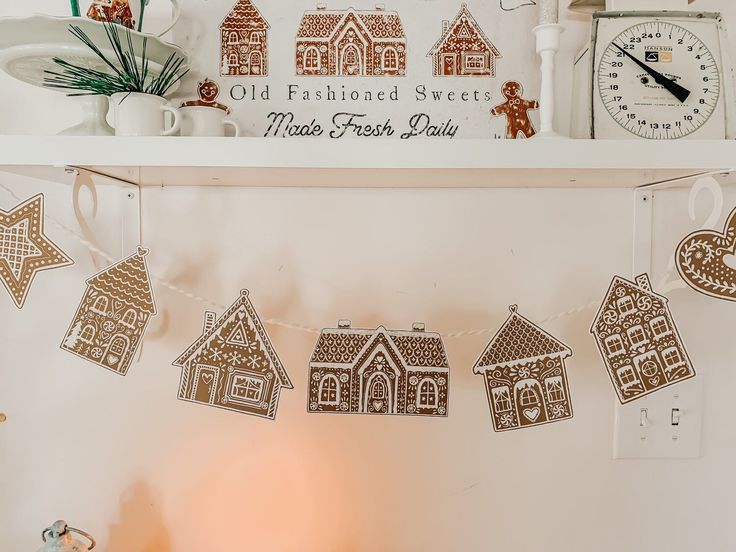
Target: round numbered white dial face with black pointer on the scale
point(659, 81)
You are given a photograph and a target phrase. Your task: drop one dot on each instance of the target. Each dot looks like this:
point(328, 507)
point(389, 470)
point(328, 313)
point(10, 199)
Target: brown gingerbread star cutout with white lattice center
point(24, 248)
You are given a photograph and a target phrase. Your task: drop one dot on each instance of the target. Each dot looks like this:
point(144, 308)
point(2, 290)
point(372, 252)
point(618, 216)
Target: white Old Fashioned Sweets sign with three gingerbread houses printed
point(357, 70)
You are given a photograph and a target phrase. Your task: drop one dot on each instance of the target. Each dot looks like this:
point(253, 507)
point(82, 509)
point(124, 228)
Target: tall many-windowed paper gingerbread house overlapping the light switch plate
point(638, 340)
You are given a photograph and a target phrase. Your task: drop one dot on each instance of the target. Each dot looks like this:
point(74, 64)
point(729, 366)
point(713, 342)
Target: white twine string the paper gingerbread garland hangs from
point(283, 323)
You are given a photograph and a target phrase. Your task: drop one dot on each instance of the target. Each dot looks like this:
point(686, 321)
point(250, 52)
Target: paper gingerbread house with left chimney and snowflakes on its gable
point(233, 364)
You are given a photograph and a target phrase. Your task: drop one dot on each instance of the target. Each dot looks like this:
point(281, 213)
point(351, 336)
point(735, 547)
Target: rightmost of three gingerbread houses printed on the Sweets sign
point(463, 49)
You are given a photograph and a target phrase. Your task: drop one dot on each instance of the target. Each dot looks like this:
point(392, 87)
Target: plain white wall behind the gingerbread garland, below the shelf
point(122, 458)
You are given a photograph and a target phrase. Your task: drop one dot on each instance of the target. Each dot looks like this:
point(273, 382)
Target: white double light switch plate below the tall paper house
point(645, 428)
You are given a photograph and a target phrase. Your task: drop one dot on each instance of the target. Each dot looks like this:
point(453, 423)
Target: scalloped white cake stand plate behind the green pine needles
point(29, 44)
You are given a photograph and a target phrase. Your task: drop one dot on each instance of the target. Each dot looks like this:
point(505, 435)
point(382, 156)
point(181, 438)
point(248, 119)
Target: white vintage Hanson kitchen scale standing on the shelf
point(653, 70)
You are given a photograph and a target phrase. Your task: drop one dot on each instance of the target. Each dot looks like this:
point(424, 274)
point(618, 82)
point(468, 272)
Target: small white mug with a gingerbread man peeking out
point(205, 116)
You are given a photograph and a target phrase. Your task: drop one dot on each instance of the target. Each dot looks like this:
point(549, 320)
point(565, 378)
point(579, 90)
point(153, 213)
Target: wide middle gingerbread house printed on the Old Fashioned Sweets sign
point(351, 43)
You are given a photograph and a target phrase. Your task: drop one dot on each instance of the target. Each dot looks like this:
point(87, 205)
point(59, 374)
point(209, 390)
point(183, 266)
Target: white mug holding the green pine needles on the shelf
point(137, 114)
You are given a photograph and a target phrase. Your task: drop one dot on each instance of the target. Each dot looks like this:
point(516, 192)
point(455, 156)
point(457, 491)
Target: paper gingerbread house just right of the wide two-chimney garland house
point(525, 376)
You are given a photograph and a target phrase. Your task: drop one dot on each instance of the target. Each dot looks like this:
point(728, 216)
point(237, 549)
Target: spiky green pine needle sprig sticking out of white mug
point(127, 73)
